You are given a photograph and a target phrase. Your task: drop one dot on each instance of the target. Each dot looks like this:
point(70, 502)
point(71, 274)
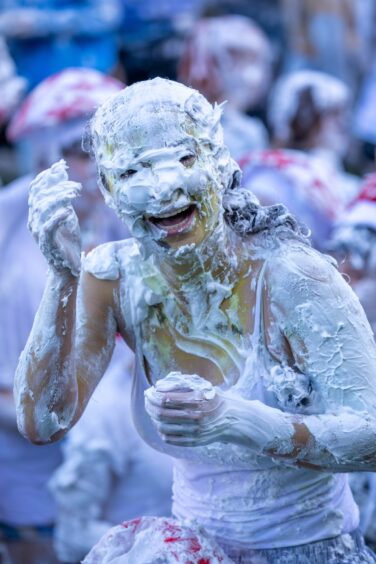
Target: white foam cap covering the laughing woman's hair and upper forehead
point(151, 112)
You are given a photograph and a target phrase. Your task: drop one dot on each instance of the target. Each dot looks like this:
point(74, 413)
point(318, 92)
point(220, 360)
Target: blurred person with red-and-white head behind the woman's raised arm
point(52, 118)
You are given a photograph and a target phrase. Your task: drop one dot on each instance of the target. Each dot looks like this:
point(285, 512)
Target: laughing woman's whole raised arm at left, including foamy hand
point(73, 334)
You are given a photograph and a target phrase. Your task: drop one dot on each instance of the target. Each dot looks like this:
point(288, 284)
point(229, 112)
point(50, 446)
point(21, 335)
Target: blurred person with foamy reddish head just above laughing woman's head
point(229, 59)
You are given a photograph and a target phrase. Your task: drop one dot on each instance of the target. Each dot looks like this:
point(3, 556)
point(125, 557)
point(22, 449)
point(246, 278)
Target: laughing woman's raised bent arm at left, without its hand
point(67, 352)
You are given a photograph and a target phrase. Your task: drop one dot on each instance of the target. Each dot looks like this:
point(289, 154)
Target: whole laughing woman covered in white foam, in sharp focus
point(256, 366)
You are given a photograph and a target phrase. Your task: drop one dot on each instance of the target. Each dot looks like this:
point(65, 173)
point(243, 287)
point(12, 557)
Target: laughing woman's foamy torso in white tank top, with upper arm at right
point(236, 494)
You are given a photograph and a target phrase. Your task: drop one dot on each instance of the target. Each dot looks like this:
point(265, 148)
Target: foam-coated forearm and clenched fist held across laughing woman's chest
point(337, 442)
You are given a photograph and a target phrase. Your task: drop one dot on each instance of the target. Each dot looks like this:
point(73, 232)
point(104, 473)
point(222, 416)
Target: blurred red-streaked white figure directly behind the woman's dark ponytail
point(295, 180)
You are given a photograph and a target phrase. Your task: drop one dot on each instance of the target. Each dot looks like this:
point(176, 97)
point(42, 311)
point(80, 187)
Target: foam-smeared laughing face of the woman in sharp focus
point(168, 190)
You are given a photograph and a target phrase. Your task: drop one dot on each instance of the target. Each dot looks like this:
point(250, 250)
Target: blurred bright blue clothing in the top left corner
point(46, 36)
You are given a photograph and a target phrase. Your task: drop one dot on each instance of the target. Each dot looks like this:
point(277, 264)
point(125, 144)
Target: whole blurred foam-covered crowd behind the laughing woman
point(295, 81)
